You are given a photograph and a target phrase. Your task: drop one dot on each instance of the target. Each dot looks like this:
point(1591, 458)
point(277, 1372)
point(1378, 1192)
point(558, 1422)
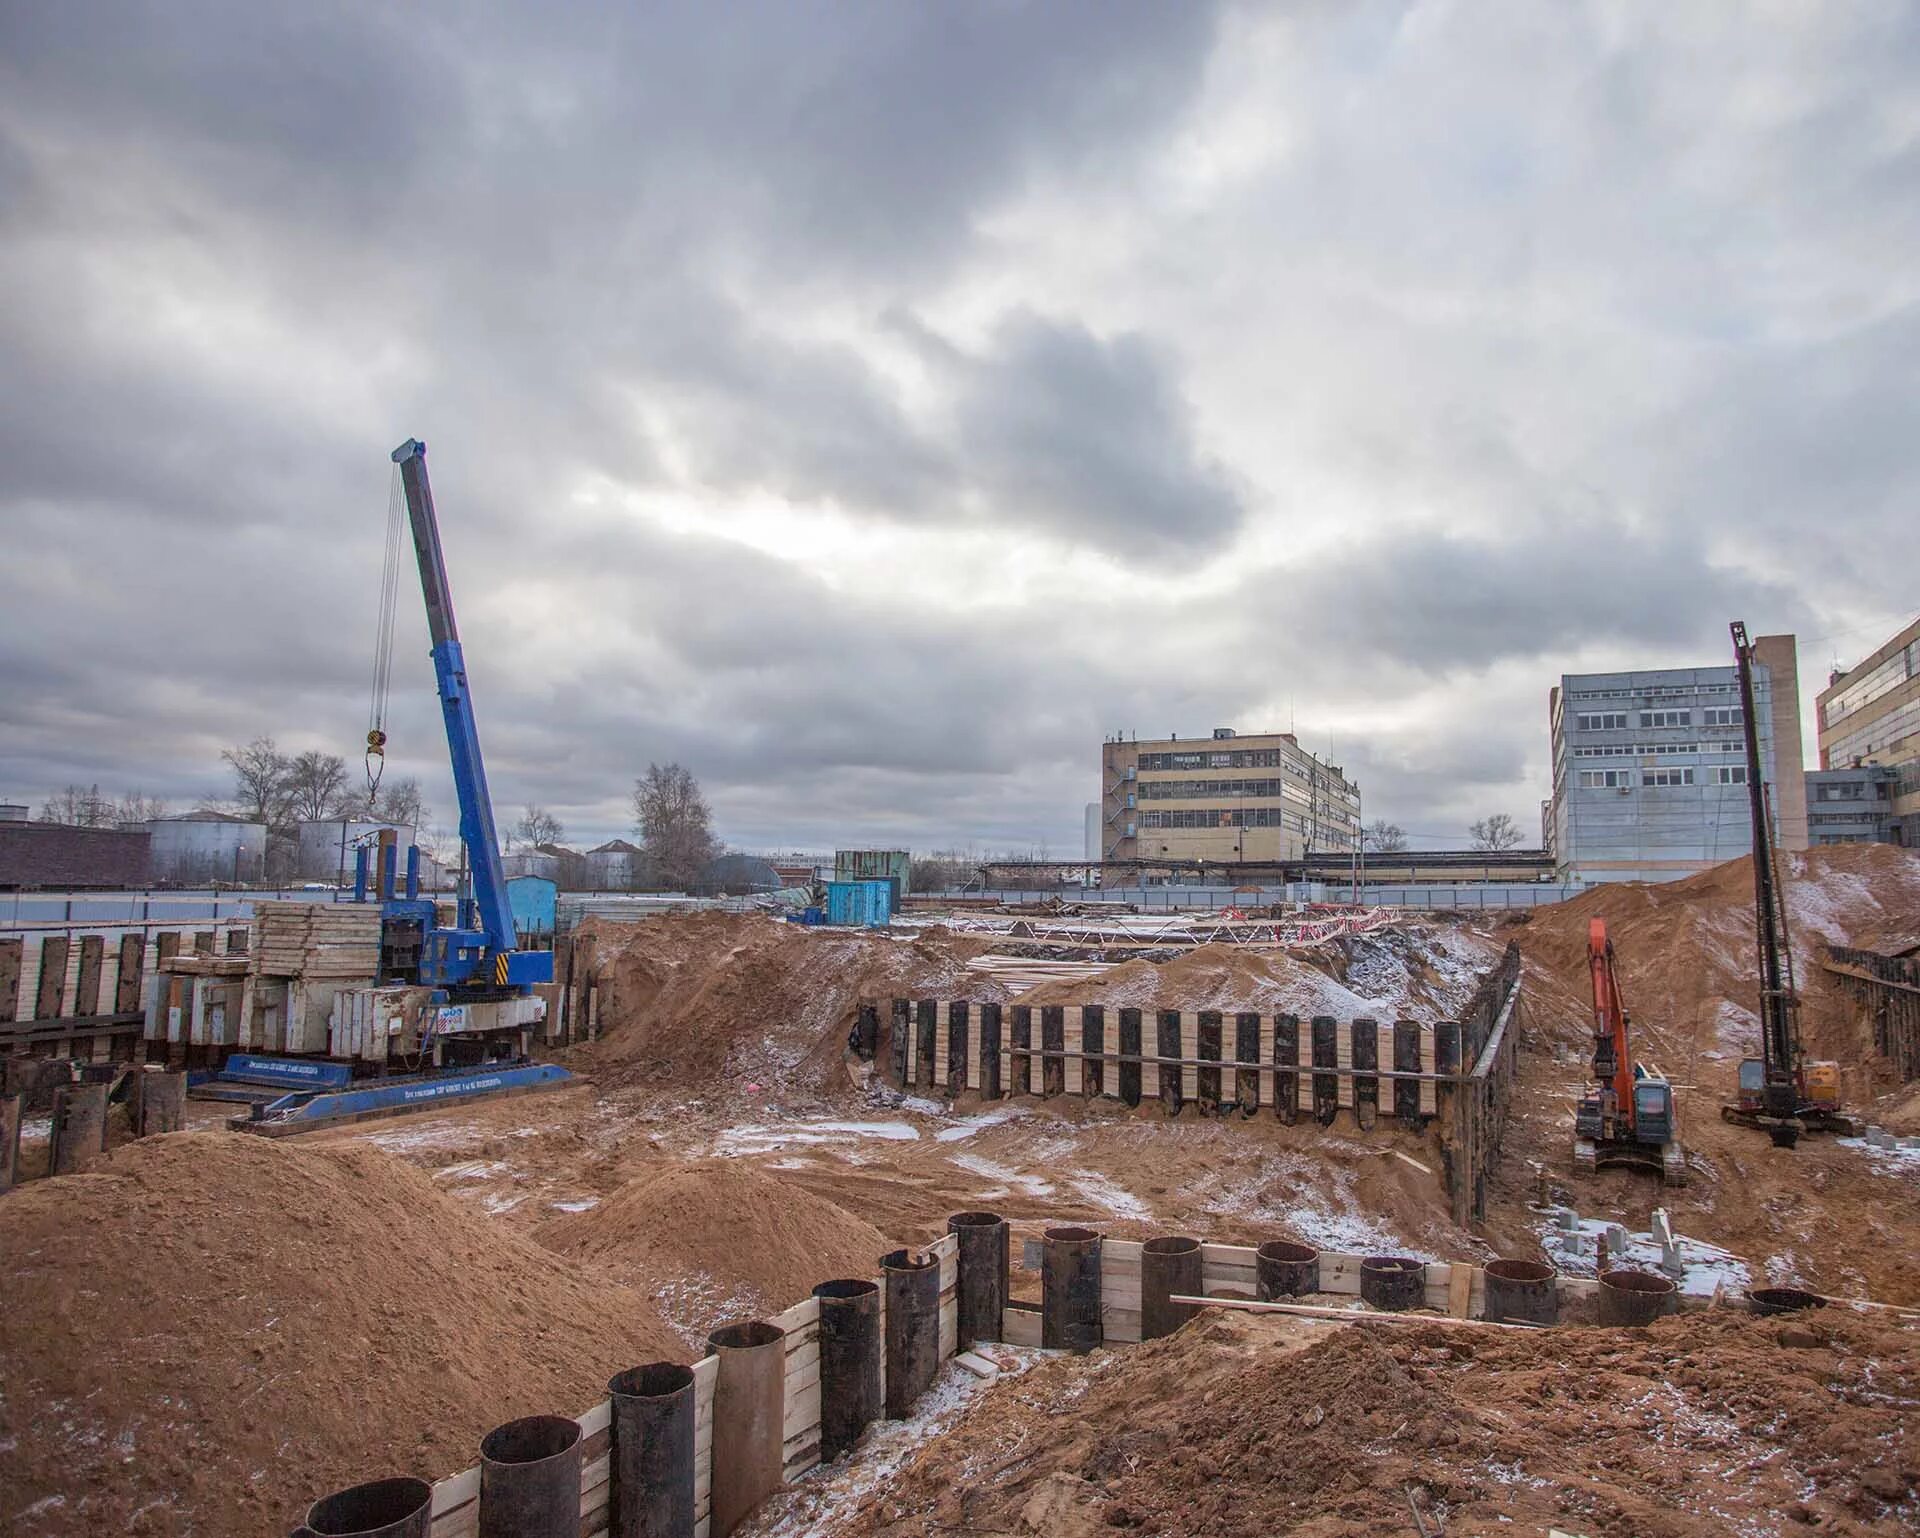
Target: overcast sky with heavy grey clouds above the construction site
point(871, 406)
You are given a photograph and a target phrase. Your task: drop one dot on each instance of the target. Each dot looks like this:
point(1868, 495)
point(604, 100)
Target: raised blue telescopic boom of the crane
point(464, 734)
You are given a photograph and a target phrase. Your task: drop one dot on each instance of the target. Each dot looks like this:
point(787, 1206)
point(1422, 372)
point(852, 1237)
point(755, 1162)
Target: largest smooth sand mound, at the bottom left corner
point(218, 1328)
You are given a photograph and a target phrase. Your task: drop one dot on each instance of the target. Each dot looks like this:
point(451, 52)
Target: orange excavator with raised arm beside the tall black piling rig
point(1629, 1120)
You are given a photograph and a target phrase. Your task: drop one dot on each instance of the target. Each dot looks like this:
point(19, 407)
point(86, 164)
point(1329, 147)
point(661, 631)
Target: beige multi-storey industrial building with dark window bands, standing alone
point(1224, 800)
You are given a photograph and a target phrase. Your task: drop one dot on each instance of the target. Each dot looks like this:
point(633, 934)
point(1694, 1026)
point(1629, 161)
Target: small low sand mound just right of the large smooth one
point(719, 1239)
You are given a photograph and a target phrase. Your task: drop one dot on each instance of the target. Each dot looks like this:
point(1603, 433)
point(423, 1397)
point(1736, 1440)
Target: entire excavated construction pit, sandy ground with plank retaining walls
point(208, 1332)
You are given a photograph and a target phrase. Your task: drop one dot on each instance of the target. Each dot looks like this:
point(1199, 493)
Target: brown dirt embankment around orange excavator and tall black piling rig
point(1827, 1216)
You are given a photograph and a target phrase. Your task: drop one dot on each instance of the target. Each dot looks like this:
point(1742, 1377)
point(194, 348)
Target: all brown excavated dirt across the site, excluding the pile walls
point(228, 1328)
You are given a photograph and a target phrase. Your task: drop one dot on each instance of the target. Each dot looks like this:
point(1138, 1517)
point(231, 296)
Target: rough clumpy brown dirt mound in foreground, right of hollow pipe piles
point(1700, 1424)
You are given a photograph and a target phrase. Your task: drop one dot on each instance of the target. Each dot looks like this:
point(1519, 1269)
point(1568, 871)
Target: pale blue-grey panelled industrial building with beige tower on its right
point(1650, 769)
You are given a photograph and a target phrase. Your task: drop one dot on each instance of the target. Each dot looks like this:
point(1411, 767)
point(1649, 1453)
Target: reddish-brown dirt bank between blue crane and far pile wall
point(719, 1001)
